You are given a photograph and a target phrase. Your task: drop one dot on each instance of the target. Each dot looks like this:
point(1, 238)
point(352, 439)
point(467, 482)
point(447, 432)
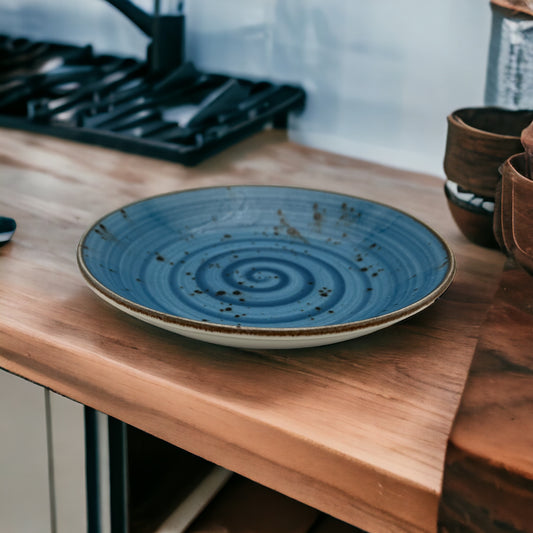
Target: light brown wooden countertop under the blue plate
point(358, 430)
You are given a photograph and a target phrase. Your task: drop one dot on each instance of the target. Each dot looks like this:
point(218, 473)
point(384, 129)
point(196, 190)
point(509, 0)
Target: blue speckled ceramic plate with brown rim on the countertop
point(265, 267)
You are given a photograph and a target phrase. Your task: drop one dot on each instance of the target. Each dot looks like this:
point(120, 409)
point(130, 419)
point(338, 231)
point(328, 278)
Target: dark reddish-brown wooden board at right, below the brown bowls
point(488, 475)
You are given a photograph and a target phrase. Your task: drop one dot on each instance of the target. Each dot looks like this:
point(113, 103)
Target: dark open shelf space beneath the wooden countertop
point(169, 490)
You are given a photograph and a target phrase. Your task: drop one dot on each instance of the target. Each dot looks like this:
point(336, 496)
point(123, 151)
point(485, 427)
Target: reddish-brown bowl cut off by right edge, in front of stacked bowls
point(513, 215)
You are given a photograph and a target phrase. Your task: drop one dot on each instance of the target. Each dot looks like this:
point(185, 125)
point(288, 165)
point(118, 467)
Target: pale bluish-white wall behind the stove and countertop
point(380, 76)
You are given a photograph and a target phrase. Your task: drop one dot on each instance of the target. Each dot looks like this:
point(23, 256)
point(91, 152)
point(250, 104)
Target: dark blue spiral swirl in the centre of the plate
point(258, 284)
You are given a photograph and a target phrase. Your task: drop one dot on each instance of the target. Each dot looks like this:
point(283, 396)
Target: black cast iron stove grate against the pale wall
point(183, 116)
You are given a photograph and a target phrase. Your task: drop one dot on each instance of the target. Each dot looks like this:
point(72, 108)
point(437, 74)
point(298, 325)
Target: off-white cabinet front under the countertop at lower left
point(25, 464)
